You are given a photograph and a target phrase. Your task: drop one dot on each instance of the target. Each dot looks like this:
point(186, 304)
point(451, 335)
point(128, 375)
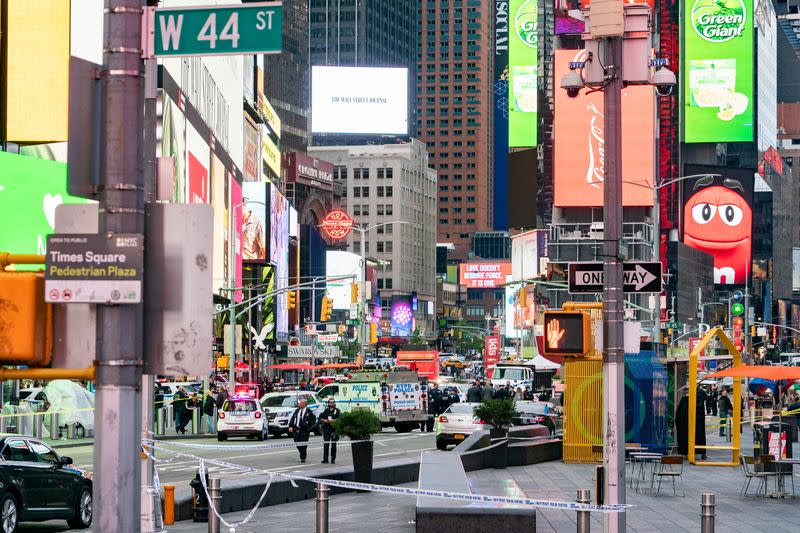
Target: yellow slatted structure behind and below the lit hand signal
point(583, 396)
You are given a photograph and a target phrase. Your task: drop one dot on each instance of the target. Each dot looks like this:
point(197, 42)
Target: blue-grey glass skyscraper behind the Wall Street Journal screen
point(358, 33)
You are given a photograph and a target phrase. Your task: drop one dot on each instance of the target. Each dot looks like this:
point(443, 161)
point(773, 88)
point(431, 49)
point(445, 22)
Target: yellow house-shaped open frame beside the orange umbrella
point(694, 357)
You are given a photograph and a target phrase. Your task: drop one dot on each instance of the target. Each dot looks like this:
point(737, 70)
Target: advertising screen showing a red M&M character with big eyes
point(718, 219)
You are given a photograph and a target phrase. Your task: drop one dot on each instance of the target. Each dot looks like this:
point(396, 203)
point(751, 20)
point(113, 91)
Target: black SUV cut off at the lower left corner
point(37, 484)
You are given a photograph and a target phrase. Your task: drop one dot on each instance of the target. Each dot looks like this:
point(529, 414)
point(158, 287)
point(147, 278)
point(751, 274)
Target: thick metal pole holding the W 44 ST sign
point(119, 361)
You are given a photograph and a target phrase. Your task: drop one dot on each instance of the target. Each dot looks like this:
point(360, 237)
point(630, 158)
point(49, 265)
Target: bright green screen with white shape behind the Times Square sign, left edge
point(30, 191)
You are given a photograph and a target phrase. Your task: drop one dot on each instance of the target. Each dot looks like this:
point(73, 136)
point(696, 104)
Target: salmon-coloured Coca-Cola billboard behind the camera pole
point(579, 143)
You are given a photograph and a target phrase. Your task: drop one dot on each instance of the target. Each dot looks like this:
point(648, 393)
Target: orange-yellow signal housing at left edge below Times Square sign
point(25, 319)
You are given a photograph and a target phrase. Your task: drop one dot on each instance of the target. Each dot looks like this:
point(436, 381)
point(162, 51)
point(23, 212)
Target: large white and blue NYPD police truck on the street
point(399, 398)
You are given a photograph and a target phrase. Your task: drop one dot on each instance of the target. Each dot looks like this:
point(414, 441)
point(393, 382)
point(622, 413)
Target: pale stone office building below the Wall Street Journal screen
point(392, 183)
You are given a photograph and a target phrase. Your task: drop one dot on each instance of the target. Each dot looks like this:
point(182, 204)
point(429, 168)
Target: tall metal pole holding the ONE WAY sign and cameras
point(613, 296)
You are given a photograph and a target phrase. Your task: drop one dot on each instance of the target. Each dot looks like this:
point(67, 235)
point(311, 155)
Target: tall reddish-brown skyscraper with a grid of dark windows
point(454, 113)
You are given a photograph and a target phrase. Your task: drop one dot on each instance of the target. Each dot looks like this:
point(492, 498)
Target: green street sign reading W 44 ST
point(216, 30)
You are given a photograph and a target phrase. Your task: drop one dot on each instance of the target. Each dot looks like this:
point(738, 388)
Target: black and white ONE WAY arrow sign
point(640, 277)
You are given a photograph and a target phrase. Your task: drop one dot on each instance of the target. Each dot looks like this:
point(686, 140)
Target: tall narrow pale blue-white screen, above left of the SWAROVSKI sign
point(279, 252)
